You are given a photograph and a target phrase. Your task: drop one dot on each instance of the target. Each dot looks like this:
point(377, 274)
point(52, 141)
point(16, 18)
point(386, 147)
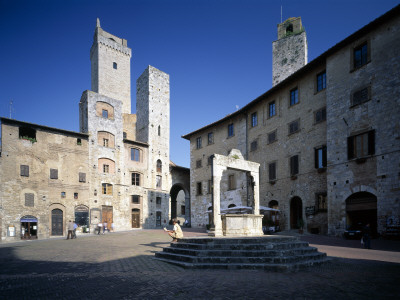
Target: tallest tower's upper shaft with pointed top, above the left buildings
point(110, 59)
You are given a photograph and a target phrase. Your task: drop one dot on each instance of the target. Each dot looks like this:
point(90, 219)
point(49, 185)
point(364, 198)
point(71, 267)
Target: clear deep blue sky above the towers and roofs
point(218, 53)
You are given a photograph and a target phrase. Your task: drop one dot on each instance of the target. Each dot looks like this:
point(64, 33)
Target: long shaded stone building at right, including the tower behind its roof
point(326, 135)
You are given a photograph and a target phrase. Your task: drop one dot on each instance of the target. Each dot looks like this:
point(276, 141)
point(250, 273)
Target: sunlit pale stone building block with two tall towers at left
point(115, 170)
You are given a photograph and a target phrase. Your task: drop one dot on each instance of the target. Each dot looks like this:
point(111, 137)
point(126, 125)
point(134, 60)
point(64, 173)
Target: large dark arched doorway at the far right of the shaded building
point(361, 209)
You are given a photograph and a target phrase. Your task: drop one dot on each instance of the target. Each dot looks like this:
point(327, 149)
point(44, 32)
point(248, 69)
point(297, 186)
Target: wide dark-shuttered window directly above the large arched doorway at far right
point(361, 145)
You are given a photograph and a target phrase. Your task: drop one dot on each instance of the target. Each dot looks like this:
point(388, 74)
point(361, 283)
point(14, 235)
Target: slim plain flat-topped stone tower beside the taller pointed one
point(152, 126)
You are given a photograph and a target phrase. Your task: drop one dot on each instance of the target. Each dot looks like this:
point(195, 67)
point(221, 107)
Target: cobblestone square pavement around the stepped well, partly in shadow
point(121, 265)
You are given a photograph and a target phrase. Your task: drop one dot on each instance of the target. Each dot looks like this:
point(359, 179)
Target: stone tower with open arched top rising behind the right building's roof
point(290, 51)
